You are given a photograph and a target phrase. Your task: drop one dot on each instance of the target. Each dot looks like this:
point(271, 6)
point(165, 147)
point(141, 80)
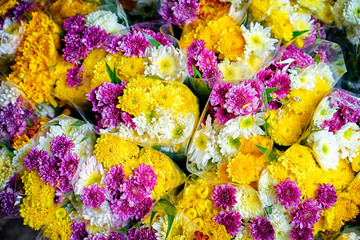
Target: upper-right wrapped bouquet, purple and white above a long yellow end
point(296, 84)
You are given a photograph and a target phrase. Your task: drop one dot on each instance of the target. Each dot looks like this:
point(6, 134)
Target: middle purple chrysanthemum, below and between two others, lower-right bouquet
point(306, 214)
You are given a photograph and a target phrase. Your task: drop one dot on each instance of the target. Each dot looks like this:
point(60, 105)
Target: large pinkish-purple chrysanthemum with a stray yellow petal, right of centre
point(244, 98)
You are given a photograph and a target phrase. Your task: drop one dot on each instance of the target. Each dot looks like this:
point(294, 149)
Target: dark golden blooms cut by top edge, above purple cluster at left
point(60, 10)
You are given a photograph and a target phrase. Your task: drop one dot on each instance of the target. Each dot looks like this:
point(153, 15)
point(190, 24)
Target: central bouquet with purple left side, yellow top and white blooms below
point(146, 110)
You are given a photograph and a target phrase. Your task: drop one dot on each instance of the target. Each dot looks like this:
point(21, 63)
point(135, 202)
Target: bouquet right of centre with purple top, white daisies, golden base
point(232, 128)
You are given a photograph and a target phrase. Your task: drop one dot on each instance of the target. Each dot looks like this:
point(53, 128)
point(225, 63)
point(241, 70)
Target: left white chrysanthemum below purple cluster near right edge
point(326, 148)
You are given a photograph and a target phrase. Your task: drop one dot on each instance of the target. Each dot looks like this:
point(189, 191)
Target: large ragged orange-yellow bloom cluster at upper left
point(36, 57)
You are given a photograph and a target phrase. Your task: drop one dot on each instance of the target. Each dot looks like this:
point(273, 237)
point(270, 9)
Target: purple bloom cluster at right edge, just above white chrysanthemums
point(347, 110)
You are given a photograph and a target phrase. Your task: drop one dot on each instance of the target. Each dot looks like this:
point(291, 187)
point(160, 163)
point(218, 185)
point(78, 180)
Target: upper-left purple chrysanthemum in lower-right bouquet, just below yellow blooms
point(288, 193)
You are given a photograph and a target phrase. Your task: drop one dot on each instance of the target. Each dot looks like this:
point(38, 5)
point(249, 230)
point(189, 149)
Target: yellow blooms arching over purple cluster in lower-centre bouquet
point(111, 150)
